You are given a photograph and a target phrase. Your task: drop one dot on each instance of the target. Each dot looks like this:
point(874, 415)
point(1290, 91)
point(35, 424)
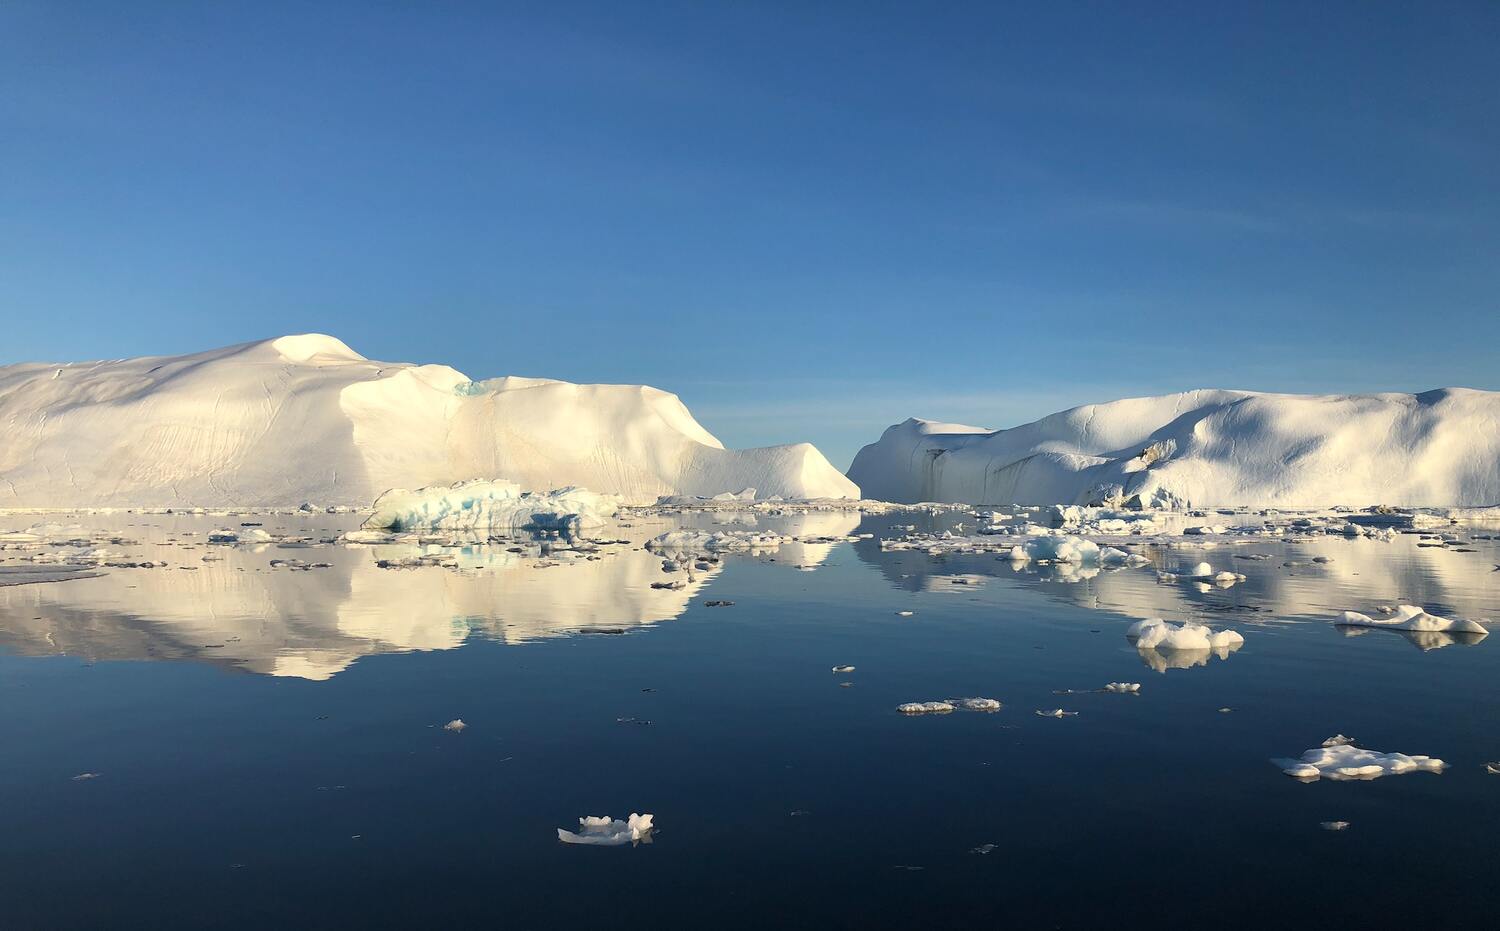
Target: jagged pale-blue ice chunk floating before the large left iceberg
point(490, 506)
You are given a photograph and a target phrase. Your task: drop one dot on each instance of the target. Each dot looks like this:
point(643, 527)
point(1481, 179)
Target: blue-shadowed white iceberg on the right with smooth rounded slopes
point(1208, 448)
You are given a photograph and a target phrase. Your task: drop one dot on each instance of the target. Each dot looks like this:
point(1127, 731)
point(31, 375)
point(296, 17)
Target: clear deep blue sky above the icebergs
point(809, 220)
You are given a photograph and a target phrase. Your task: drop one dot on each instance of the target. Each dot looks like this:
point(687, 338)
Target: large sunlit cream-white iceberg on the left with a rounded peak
point(307, 419)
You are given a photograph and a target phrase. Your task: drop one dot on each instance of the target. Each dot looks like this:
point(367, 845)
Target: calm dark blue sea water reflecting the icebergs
point(269, 744)
